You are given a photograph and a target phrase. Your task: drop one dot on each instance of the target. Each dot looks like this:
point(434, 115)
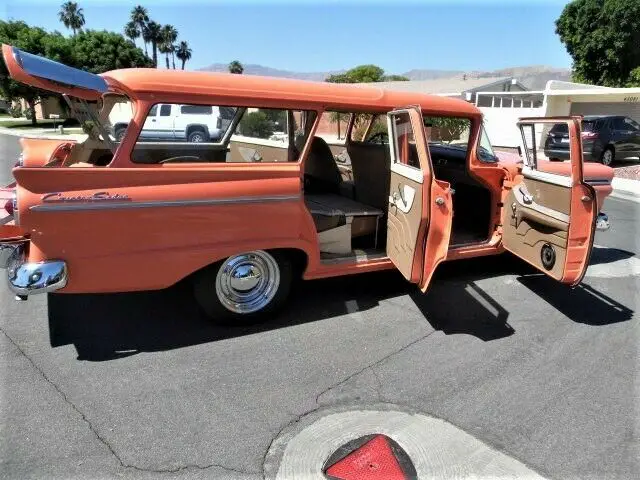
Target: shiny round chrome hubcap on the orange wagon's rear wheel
point(248, 282)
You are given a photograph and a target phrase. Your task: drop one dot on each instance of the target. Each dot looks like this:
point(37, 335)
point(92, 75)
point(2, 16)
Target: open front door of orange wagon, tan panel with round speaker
point(550, 213)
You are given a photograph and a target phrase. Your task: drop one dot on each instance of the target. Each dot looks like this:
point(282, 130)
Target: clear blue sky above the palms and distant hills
point(333, 35)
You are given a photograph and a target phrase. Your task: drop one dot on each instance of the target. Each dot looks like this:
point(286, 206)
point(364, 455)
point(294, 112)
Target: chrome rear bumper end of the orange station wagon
point(31, 278)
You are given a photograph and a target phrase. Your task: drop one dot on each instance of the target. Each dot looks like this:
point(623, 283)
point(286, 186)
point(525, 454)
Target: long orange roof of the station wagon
point(179, 86)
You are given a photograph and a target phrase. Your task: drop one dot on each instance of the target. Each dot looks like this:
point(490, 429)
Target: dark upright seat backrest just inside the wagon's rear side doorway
point(321, 173)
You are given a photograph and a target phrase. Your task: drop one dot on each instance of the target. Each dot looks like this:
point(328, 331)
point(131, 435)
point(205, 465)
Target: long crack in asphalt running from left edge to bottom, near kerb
point(103, 440)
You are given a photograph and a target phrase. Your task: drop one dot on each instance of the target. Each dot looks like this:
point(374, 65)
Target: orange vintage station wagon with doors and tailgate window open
point(233, 182)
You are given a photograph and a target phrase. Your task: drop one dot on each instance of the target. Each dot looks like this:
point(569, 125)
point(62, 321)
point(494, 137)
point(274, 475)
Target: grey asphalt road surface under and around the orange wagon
point(142, 386)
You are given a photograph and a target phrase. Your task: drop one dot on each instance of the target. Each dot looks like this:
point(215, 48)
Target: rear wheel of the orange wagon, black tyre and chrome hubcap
point(244, 288)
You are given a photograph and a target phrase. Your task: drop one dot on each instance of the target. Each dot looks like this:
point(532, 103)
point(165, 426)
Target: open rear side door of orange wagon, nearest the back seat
point(420, 207)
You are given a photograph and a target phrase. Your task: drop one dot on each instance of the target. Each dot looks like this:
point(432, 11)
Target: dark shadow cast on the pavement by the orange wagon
point(109, 326)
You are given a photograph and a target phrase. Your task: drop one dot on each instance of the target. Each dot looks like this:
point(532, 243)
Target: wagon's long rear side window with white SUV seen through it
point(222, 134)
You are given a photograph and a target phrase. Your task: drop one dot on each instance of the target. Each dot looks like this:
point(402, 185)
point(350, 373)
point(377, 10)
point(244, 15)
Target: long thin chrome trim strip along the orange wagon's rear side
point(69, 207)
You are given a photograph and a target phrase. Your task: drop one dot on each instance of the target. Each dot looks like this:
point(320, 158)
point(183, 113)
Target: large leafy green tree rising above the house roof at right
point(603, 39)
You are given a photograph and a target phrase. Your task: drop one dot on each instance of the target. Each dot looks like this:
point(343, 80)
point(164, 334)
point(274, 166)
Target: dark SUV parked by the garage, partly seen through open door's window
point(605, 139)
